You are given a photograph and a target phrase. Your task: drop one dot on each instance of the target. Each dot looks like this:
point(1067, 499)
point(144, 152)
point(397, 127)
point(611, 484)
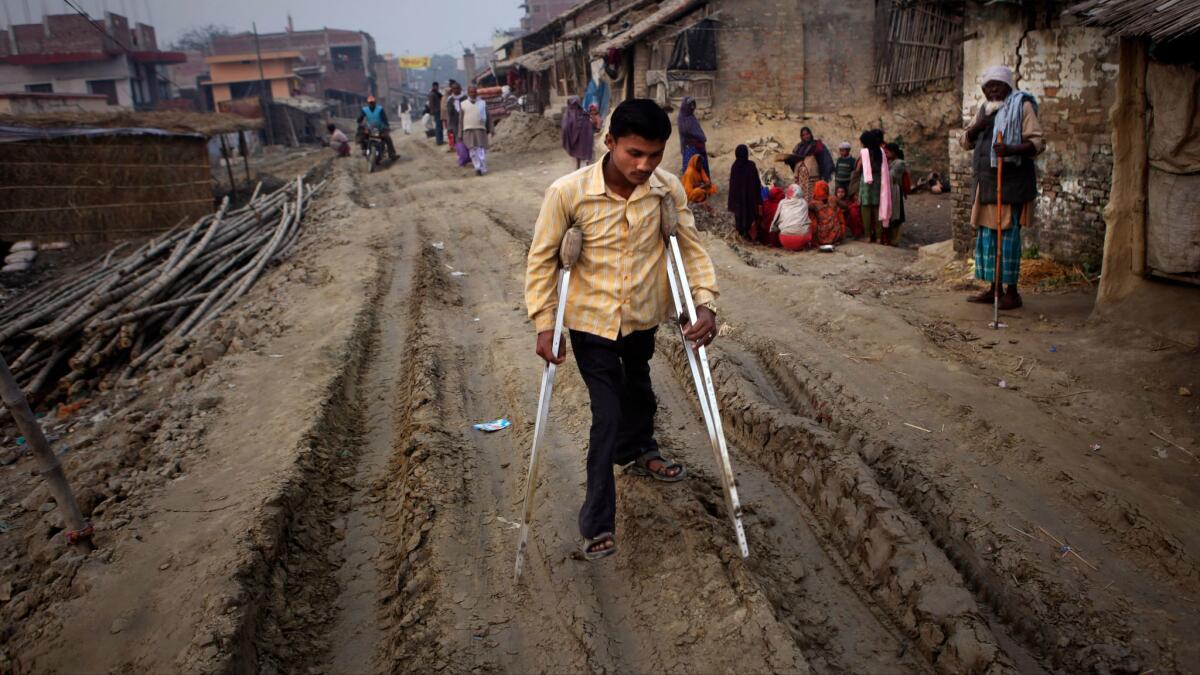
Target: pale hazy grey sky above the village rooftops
point(405, 27)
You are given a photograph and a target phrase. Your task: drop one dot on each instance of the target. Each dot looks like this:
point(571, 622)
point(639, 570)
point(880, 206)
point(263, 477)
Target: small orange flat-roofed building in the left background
point(238, 76)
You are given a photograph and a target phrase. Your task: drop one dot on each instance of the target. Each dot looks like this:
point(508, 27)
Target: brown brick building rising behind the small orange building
point(337, 64)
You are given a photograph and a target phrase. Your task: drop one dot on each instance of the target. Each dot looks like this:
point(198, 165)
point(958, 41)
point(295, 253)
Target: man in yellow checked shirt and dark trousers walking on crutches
point(619, 297)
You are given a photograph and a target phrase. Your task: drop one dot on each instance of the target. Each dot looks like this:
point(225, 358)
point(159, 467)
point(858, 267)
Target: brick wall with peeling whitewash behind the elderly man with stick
point(1072, 71)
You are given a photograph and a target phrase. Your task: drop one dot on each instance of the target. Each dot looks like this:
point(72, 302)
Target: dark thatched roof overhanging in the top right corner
point(1159, 20)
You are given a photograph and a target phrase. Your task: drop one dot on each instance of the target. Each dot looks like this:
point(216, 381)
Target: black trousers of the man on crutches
point(617, 374)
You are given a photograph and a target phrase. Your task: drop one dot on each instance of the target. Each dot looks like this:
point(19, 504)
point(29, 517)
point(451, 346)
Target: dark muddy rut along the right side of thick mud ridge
point(1015, 590)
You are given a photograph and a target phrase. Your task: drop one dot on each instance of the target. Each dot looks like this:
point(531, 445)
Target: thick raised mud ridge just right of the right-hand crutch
point(887, 548)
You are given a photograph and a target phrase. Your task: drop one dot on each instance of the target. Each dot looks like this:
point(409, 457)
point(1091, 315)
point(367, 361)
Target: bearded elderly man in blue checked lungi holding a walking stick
point(1013, 114)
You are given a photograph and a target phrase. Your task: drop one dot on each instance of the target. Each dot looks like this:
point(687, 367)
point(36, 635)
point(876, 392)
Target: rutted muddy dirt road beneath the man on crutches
point(905, 513)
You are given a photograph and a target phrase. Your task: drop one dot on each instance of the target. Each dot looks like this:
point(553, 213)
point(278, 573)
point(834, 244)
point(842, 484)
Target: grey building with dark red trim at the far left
point(70, 55)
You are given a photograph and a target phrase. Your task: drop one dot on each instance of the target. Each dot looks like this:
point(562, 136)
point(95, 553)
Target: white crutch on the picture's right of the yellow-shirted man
point(701, 374)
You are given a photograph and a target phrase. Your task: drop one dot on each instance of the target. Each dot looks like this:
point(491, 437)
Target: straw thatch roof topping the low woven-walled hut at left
point(206, 124)
